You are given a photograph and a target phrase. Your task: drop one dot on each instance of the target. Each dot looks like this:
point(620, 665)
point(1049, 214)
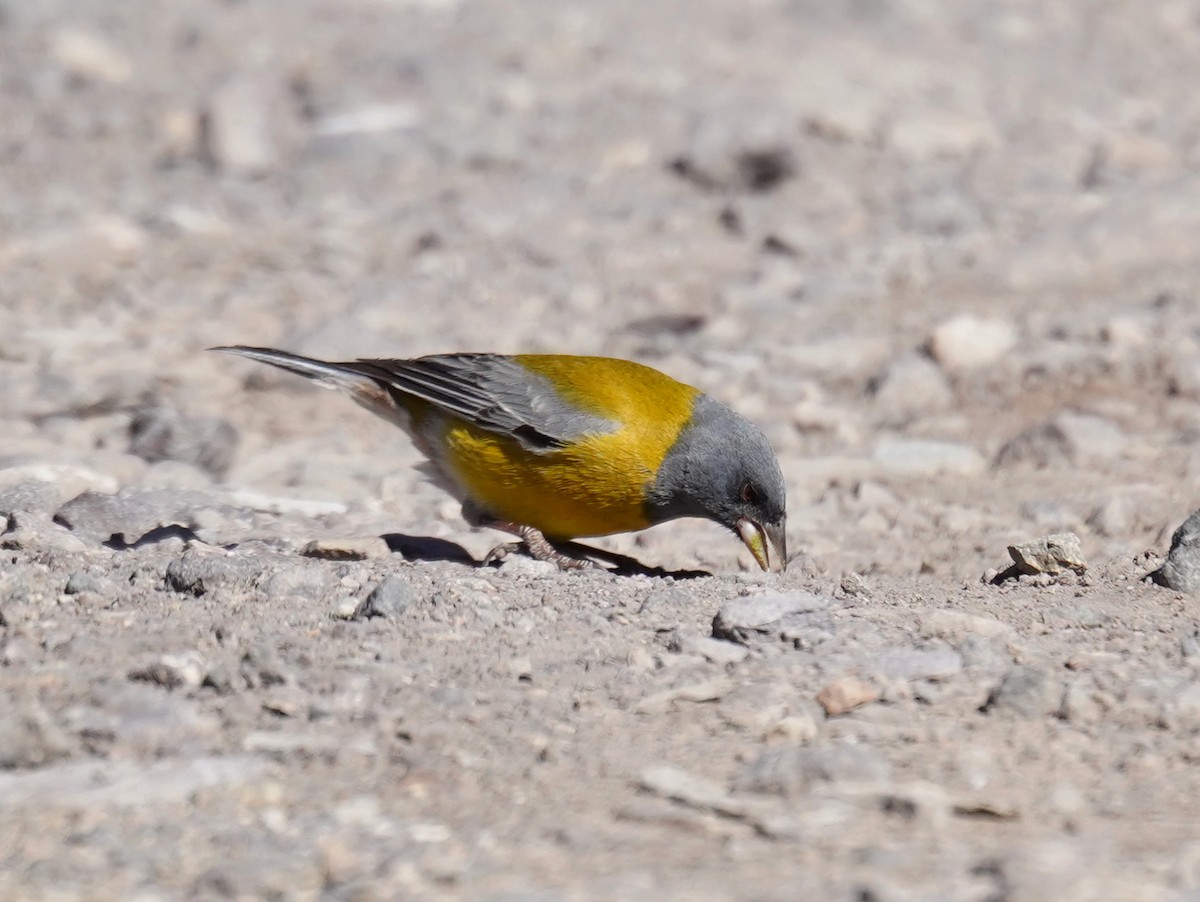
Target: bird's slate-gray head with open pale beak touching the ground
point(722, 468)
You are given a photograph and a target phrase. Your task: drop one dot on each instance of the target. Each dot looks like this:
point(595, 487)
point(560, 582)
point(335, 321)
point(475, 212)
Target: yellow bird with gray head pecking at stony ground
point(554, 448)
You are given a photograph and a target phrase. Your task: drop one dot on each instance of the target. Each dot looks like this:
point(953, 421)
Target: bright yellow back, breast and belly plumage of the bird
point(597, 485)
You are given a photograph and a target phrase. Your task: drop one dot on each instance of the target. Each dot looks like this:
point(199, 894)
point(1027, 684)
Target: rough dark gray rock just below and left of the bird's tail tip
point(163, 434)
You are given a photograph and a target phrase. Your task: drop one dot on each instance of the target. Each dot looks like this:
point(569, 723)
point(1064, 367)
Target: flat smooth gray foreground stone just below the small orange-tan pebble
point(793, 771)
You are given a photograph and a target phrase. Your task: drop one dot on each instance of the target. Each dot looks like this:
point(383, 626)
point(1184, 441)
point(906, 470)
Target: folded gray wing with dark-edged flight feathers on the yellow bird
point(490, 392)
